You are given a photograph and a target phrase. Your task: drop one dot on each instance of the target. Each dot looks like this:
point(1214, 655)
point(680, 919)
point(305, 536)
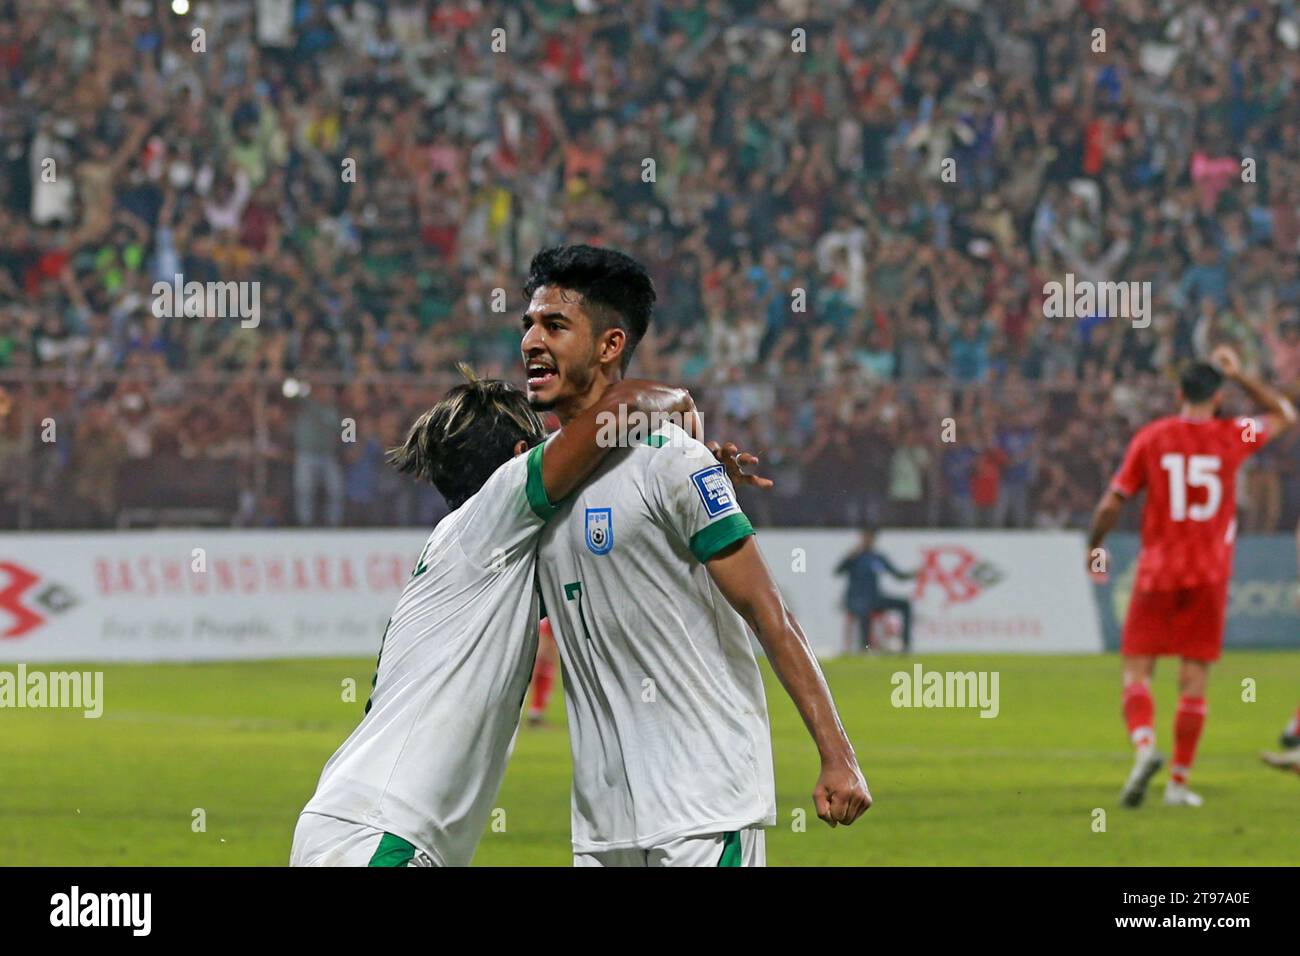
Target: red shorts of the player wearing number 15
point(1186, 622)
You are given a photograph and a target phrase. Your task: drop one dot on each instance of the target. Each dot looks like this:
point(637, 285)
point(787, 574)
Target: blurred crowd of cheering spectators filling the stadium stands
point(774, 171)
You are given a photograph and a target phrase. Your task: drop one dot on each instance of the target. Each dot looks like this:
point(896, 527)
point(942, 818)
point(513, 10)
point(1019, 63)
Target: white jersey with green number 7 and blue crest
point(666, 707)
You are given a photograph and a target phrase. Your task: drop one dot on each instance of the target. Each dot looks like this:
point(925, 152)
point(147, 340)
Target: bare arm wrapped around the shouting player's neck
point(575, 452)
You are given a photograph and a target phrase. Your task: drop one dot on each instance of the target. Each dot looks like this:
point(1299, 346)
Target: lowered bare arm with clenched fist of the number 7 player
point(742, 574)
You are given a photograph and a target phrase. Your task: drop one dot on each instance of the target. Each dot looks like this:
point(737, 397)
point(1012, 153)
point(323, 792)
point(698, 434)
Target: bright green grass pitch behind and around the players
point(246, 742)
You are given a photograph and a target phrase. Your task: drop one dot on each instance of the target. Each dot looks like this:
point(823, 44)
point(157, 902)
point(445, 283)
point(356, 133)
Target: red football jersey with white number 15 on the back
point(1189, 524)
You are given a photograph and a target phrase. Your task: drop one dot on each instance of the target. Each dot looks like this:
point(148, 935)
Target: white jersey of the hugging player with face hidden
point(427, 760)
